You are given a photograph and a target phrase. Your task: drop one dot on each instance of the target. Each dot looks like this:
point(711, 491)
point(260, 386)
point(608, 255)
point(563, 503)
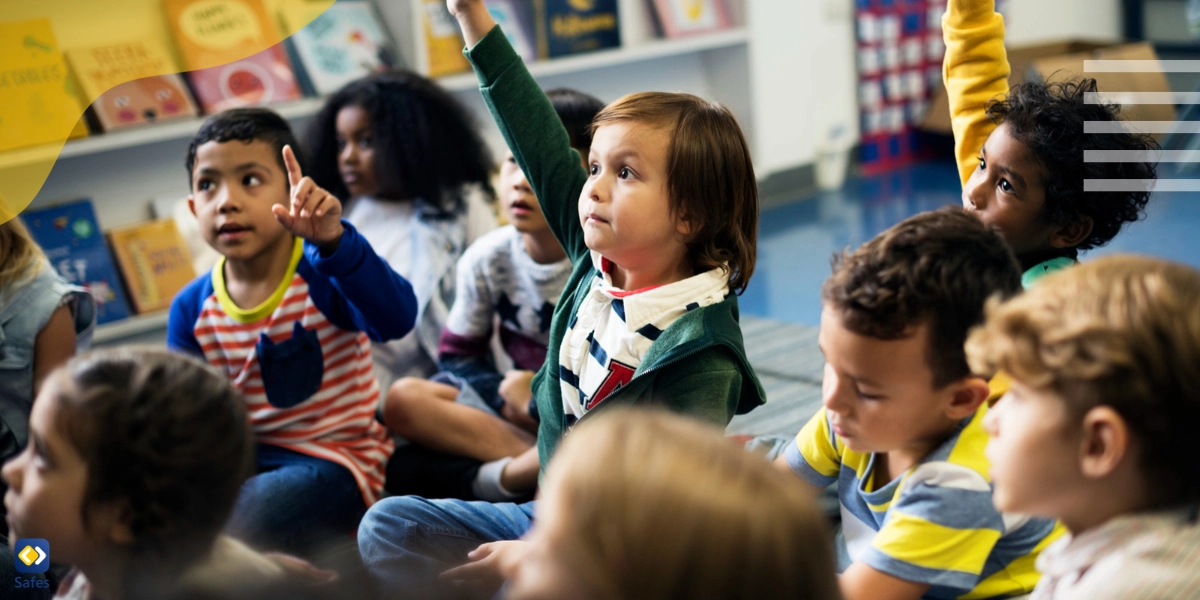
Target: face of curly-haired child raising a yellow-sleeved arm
point(1007, 191)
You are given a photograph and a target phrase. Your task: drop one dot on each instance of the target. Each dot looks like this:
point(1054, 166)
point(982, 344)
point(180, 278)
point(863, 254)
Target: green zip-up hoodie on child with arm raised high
point(698, 367)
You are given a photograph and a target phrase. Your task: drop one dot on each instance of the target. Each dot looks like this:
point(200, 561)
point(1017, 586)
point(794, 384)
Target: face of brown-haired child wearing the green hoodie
point(625, 208)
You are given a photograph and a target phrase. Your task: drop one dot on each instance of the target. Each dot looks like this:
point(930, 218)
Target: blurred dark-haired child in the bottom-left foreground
point(134, 464)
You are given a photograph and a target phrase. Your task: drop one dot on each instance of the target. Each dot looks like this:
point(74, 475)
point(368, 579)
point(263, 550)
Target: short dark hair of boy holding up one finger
point(247, 125)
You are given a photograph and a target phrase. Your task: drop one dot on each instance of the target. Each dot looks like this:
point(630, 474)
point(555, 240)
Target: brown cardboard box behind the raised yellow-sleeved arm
point(1065, 61)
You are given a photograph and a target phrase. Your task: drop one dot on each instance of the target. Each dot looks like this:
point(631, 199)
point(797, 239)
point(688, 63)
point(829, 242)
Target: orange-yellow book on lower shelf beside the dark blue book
point(155, 262)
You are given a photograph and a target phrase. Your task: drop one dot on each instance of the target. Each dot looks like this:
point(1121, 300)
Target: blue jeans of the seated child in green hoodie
point(407, 542)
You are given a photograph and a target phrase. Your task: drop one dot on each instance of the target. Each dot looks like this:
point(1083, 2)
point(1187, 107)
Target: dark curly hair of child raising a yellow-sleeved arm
point(1049, 121)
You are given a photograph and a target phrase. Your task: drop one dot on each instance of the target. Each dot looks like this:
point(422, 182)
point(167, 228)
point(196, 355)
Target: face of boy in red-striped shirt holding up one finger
point(235, 185)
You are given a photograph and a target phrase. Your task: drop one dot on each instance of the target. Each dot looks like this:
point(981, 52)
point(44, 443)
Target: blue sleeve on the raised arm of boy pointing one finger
point(357, 291)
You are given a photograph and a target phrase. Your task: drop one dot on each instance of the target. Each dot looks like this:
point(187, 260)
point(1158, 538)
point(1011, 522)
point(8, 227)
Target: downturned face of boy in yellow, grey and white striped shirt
point(880, 394)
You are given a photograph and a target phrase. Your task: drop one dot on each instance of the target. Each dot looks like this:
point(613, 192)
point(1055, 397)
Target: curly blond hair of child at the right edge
point(1121, 332)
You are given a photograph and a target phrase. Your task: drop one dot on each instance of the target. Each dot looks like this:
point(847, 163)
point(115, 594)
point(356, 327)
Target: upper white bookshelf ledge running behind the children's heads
point(308, 107)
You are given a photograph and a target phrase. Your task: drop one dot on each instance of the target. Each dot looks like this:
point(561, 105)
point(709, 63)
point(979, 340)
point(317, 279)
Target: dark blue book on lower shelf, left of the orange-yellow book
point(71, 238)
